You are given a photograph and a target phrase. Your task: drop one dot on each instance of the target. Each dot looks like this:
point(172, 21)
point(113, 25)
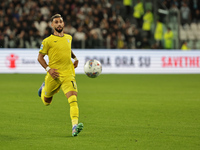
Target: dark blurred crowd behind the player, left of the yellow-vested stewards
point(92, 23)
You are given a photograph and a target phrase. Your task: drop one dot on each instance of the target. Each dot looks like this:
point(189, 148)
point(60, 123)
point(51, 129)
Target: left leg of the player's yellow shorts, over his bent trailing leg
point(51, 87)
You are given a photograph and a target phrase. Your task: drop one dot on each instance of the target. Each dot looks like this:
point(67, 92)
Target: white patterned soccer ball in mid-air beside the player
point(92, 68)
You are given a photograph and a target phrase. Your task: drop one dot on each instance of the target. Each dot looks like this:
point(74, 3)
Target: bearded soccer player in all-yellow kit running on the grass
point(60, 70)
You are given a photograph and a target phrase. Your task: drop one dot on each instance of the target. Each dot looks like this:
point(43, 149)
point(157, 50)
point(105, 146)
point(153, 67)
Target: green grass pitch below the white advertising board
point(133, 111)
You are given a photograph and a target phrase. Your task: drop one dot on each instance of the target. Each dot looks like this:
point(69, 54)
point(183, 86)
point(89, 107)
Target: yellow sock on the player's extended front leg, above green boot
point(74, 111)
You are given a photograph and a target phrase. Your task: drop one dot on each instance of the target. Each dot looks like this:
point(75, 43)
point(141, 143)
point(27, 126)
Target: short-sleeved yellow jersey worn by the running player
point(58, 50)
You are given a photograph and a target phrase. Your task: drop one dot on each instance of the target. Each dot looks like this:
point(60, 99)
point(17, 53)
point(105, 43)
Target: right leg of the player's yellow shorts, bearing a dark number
point(69, 85)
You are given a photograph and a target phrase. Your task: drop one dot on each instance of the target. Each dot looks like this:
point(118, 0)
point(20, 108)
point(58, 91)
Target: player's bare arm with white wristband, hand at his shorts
point(52, 72)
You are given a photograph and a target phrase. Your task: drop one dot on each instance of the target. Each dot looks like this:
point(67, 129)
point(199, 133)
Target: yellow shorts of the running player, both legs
point(53, 86)
